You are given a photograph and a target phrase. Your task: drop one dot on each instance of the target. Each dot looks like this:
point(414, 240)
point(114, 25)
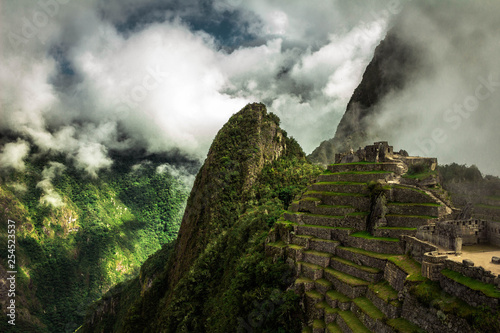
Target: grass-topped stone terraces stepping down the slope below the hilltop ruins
point(350, 278)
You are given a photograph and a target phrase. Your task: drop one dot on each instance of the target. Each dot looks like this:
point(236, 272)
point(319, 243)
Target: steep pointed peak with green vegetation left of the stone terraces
point(217, 274)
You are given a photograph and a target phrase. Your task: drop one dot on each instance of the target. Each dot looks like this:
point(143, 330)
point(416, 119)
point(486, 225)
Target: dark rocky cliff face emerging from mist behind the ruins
point(393, 63)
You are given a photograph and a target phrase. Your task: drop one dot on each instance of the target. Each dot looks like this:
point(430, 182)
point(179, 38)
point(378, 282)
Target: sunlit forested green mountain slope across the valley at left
point(77, 236)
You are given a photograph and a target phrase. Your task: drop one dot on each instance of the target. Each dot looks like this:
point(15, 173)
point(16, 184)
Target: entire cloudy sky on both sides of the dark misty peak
point(85, 78)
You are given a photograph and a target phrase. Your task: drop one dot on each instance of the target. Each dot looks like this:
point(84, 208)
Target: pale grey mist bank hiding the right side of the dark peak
point(449, 109)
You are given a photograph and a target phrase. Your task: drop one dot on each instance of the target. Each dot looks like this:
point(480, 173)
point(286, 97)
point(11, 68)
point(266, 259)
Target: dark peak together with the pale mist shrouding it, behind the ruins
point(437, 90)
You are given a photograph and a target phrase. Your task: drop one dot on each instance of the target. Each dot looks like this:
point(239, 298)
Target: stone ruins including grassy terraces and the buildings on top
point(348, 236)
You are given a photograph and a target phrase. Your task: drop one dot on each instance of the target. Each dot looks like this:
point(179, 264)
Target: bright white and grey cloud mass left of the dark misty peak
point(156, 75)
